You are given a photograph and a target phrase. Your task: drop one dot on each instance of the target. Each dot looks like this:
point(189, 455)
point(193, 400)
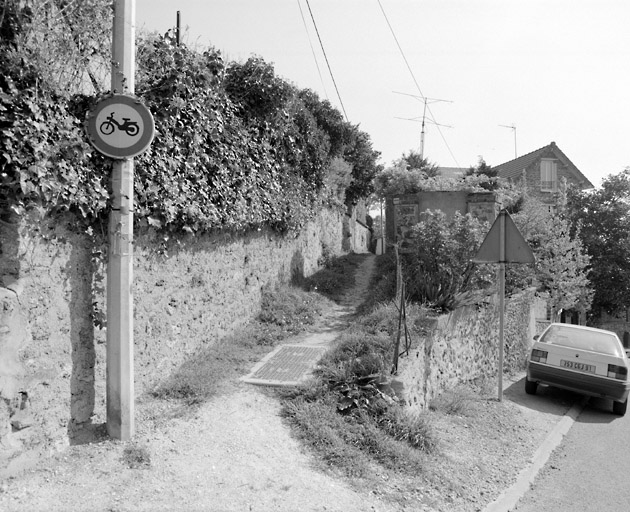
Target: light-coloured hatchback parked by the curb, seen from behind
point(586, 360)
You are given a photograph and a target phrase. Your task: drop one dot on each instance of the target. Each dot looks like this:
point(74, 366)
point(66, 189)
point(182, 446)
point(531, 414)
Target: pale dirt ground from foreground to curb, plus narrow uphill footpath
point(236, 454)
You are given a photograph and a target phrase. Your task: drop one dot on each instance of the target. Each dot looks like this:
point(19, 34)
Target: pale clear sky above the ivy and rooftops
point(500, 77)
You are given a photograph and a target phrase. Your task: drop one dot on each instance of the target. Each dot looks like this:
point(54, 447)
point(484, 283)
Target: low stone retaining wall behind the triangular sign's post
point(462, 346)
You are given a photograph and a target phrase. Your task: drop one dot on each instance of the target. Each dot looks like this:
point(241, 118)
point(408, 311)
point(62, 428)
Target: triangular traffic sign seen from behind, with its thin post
point(503, 244)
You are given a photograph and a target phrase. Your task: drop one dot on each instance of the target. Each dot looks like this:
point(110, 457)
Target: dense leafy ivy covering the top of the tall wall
point(236, 146)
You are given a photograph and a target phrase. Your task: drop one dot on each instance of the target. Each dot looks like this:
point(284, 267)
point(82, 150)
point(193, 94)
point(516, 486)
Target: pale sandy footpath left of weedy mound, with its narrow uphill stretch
point(235, 454)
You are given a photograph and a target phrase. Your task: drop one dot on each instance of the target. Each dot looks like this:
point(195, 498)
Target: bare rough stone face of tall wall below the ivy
point(188, 293)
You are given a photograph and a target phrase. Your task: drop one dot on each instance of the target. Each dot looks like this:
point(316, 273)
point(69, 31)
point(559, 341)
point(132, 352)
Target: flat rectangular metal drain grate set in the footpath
point(288, 365)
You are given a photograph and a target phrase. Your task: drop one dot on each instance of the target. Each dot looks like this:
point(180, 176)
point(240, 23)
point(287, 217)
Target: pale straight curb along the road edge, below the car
point(510, 497)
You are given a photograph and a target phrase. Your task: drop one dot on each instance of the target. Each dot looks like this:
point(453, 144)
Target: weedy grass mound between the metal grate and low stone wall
point(350, 415)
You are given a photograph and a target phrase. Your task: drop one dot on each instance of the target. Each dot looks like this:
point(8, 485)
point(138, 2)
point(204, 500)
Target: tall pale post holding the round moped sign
point(120, 385)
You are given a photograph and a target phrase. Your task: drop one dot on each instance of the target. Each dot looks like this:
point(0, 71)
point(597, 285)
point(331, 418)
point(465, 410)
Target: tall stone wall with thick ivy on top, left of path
point(246, 181)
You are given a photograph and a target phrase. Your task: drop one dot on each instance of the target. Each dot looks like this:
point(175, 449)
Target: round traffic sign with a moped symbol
point(120, 126)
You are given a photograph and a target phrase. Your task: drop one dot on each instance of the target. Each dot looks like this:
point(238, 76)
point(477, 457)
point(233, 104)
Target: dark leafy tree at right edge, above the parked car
point(602, 217)
